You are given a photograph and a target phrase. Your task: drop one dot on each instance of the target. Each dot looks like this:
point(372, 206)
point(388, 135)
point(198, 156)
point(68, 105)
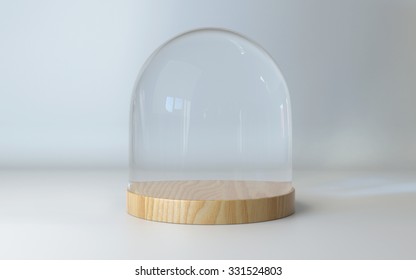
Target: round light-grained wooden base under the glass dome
point(210, 202)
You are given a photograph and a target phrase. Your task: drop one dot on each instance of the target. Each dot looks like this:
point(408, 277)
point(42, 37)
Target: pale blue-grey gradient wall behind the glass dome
point(67, 69)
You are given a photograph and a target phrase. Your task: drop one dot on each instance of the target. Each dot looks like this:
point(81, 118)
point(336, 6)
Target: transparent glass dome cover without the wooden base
point(210, 105)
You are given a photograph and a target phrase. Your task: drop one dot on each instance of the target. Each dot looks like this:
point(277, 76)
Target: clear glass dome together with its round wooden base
point(210, 133)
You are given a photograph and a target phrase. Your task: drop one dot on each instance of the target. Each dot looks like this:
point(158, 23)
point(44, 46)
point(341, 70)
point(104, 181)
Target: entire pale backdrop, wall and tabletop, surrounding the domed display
point(67, 69)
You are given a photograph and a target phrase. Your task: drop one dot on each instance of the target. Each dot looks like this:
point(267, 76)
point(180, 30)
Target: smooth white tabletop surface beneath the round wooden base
point(81, 214)
